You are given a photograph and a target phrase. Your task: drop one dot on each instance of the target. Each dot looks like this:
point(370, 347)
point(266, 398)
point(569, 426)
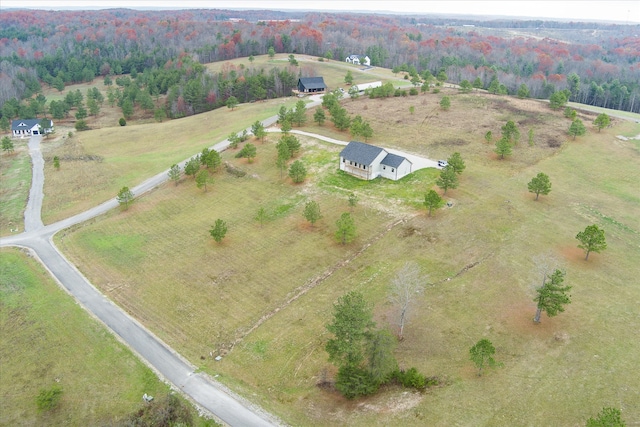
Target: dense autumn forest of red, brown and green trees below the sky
point(597, 64)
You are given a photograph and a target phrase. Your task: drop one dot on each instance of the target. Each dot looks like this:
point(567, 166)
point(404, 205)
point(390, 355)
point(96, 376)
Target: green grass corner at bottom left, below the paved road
point(46, 340)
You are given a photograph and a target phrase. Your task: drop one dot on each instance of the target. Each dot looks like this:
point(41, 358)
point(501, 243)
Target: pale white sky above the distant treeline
point(620, 11)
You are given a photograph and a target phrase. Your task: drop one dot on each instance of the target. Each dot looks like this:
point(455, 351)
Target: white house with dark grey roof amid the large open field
point(367, 161)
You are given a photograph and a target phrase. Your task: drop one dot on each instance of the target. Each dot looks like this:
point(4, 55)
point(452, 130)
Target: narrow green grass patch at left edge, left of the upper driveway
point(15, 181)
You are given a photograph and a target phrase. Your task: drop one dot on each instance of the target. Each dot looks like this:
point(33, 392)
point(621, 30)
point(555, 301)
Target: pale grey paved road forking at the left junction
point(207, 393)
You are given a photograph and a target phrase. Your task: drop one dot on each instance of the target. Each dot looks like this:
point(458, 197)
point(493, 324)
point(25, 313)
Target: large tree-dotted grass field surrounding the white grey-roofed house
point(479, 258)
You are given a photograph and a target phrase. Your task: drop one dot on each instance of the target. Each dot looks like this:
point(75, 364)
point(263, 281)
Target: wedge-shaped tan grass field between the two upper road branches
point(96, 164)
